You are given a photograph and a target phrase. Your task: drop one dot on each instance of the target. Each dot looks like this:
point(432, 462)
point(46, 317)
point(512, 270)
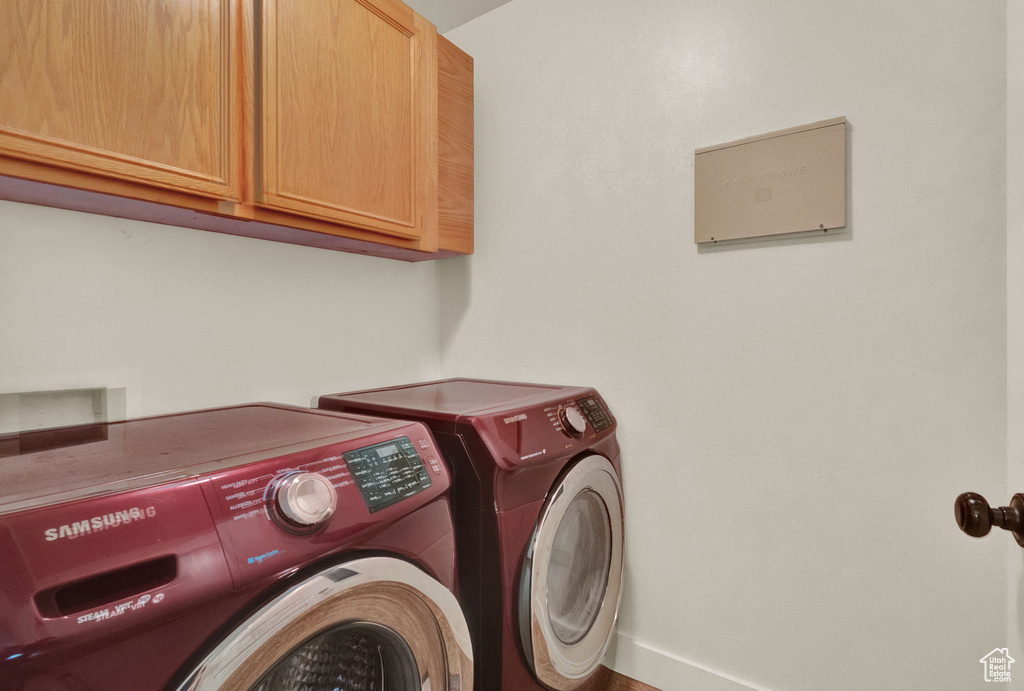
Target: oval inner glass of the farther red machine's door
point(578, 569)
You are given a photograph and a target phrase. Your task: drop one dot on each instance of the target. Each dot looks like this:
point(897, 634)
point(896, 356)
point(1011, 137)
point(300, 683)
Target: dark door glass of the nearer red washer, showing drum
point(357, 657)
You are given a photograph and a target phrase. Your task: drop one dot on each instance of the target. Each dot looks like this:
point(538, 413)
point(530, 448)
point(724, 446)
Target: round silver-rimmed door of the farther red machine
point(573, 574)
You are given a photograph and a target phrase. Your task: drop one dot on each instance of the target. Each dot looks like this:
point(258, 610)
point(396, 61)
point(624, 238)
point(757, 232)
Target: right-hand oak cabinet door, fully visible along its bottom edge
point(348, 115)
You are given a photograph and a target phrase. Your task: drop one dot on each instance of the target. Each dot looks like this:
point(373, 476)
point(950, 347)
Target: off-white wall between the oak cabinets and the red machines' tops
point(186, 319)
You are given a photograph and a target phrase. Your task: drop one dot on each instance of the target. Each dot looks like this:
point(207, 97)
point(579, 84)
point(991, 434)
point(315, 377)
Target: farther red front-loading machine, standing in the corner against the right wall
point(538, 505)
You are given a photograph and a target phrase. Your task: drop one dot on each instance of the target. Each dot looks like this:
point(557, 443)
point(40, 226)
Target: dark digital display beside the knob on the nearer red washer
point(388, 473)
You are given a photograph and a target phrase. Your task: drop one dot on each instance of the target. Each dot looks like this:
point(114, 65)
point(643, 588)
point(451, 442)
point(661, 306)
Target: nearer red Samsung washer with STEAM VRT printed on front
point(260, 547)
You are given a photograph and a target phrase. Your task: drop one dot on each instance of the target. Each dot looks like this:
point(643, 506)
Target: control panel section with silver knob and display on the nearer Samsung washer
point(274, 514)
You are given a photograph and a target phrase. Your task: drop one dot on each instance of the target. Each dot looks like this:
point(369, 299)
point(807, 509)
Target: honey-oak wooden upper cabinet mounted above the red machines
point(343, 124)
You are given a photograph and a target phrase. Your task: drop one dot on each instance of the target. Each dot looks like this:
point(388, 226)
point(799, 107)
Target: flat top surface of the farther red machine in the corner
point(453, 398)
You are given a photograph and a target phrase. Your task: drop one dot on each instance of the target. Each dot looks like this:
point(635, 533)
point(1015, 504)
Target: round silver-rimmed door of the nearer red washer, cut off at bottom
point(370, 625)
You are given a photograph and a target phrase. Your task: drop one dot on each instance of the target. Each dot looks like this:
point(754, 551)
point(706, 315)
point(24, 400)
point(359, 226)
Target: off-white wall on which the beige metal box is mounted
point(796, 416)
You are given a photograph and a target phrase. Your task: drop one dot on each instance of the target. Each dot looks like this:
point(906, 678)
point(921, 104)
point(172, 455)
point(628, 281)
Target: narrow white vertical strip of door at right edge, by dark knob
point(1015, 311)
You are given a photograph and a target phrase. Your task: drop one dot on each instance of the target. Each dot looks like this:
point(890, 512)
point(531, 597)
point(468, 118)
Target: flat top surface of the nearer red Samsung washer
point(40, 467)
